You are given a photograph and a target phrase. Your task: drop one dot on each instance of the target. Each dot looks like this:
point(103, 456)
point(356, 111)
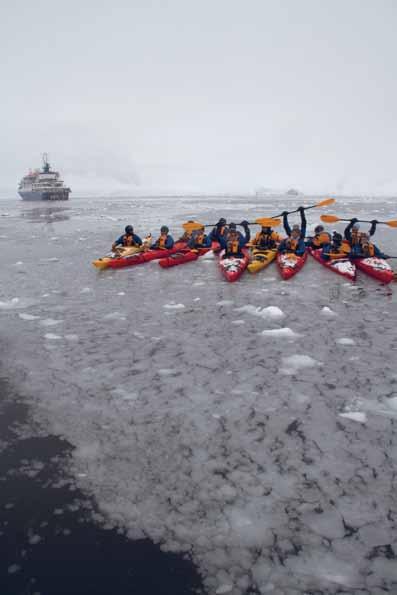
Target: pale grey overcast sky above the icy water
point(201, 95)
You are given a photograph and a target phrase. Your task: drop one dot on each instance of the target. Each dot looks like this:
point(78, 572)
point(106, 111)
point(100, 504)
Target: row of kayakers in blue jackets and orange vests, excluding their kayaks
point(354, 243)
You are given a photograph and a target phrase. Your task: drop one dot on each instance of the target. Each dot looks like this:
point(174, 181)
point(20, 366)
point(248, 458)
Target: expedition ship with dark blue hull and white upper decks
point(43, 184)
